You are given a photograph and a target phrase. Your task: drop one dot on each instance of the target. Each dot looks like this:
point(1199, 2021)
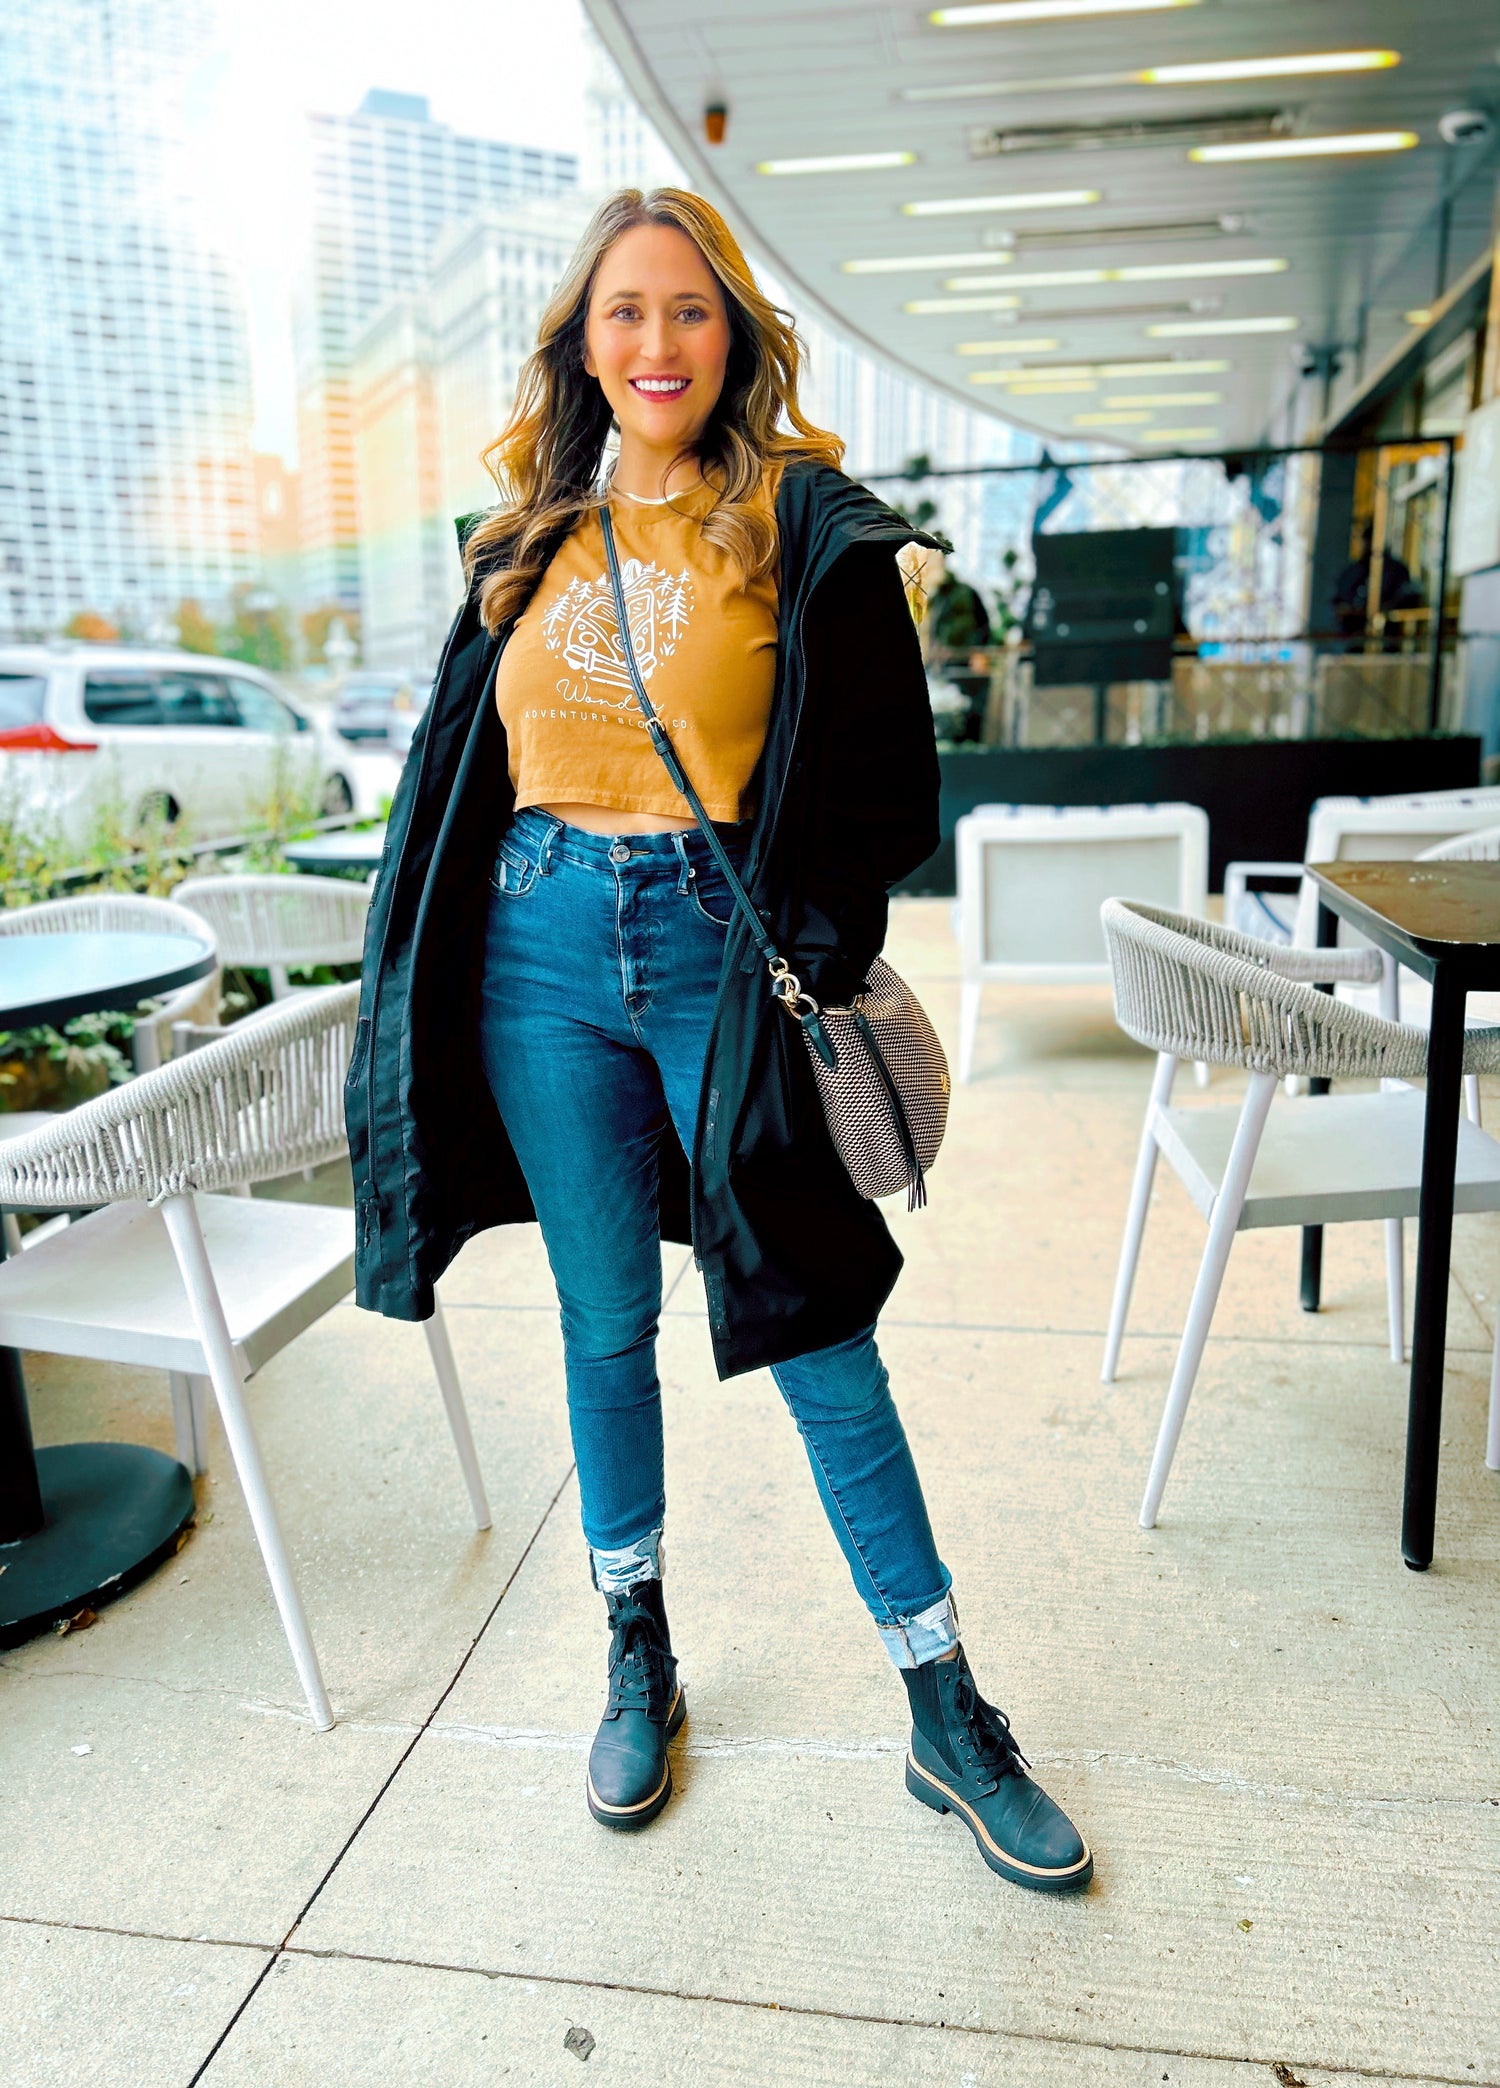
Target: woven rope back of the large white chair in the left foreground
point(252, 1108)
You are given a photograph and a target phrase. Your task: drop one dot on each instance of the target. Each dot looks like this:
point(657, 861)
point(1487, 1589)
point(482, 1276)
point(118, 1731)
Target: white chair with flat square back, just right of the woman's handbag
point(1033, 878)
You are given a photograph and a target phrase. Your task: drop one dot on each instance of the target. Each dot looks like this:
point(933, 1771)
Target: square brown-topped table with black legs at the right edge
point(1440, 920)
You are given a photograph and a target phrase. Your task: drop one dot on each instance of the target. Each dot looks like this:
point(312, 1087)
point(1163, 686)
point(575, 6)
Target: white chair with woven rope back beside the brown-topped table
point(1196, 991)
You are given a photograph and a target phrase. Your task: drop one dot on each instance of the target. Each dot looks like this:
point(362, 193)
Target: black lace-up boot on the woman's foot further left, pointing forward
point(630, 1776)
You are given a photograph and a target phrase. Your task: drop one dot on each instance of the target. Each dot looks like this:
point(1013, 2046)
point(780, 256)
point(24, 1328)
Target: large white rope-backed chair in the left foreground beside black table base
point(206, 1285)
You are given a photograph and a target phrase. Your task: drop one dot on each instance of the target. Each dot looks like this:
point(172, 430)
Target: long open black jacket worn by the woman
point(791, 1252)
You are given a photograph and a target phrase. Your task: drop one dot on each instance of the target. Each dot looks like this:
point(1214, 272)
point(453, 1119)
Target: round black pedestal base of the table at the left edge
point(112, 1515)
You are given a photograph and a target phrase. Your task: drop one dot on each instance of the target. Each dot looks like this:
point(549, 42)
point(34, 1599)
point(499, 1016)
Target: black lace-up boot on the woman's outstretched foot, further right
point(964, 1761)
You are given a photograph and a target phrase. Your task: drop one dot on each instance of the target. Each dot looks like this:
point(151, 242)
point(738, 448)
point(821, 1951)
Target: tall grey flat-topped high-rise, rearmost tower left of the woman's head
point(388, 183)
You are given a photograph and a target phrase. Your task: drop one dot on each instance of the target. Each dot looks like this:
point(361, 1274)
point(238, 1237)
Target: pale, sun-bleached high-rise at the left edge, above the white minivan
point(124, 373)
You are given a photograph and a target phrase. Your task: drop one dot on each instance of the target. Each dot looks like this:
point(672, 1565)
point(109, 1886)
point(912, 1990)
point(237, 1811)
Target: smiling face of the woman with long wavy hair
point(657, 337)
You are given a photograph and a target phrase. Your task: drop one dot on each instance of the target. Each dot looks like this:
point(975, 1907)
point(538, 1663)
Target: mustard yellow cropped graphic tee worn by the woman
point(705, 648)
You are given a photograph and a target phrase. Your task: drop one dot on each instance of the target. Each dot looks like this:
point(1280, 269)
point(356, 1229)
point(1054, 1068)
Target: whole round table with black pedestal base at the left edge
point(80, 1523)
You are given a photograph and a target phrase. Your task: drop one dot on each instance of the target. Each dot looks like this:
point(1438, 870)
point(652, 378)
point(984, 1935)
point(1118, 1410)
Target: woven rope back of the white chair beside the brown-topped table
point(1202, 991)
